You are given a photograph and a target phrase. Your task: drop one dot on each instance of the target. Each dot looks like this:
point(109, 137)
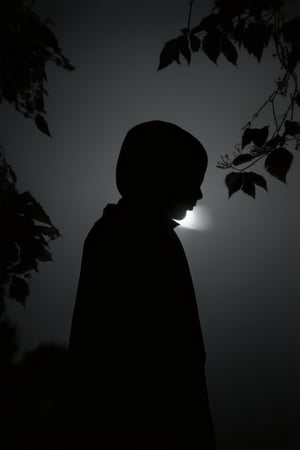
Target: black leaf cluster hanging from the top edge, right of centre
point(230, 26)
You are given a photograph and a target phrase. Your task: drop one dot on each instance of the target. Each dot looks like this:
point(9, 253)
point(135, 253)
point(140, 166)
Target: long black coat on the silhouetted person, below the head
point(136, 347)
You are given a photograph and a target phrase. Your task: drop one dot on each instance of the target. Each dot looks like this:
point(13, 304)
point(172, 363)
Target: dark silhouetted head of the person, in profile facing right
point(162, 167)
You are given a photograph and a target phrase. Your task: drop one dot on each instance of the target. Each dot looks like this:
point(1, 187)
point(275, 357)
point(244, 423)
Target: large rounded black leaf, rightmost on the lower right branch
point(278, 163)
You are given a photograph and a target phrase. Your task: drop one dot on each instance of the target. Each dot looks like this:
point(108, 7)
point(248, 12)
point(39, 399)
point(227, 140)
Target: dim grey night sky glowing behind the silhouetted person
point(244, 263)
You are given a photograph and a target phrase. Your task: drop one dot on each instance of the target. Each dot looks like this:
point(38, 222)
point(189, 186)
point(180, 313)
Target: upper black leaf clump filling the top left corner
point(27, 44)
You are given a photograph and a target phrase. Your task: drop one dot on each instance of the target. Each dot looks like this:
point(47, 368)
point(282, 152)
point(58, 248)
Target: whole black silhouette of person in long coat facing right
point(136, 347)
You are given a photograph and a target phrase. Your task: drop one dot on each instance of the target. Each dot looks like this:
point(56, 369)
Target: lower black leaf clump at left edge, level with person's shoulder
point(25, 233)
